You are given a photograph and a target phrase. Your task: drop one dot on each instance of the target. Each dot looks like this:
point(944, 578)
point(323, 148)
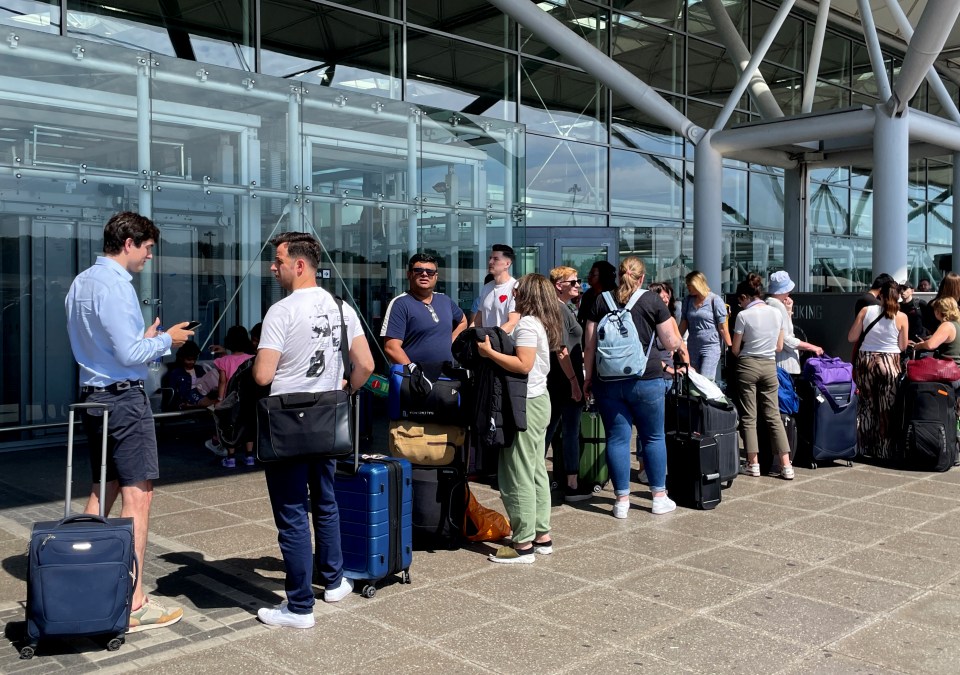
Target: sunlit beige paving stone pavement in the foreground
point(843, 570)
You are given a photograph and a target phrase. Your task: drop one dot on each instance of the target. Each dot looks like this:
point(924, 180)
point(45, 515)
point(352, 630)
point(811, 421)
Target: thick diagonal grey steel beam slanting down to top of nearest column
point(597, 64)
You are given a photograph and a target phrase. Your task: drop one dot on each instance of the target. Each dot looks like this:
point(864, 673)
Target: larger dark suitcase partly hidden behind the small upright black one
point(713, 419)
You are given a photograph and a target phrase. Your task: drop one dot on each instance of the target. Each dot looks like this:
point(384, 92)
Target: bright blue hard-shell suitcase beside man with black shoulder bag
point(375, 499)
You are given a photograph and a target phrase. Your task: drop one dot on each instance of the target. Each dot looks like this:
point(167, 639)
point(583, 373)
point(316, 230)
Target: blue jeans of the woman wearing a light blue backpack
point(624, 404)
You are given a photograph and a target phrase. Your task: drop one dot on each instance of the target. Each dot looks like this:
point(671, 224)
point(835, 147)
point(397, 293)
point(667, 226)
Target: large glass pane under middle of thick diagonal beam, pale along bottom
point(561, 102)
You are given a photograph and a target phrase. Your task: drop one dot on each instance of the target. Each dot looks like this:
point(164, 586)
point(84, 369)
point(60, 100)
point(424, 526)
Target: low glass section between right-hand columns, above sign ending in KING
point(840, 263)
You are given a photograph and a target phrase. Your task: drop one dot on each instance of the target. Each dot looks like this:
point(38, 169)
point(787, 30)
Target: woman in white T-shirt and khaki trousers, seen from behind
point(757, 338)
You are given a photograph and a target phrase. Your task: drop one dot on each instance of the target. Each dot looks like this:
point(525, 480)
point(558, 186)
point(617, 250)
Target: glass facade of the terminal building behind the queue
point(388, 127)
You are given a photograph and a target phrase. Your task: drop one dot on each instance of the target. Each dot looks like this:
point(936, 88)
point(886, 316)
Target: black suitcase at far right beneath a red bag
point(929, 440)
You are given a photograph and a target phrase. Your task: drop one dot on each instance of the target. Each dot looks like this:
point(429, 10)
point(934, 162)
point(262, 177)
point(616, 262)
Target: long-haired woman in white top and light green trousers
point(524, 486)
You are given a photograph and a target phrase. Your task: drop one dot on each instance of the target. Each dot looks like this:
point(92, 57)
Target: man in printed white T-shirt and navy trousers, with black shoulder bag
point(299, 351)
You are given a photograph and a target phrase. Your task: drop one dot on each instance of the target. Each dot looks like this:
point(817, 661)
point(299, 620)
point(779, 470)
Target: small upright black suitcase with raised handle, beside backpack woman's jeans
point(693, 460)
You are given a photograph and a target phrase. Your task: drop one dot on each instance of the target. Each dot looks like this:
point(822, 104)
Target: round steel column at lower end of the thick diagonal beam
point(708, 211)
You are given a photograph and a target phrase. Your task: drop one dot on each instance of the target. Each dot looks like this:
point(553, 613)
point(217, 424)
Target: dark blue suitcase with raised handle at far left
point(82, 569)
